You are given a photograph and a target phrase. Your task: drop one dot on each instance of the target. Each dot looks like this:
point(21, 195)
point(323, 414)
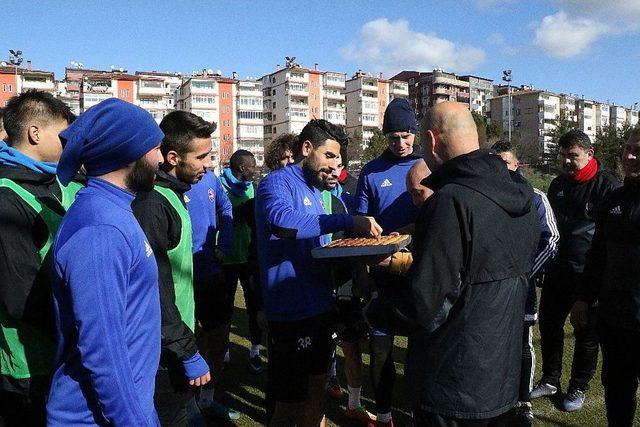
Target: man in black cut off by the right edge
point(612, 277)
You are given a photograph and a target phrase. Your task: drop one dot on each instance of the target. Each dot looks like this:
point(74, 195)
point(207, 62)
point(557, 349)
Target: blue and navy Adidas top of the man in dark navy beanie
point(382, 191)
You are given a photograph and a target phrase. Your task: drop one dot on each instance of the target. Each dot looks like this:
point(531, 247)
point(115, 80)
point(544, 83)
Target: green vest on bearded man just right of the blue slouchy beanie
point(181, 260)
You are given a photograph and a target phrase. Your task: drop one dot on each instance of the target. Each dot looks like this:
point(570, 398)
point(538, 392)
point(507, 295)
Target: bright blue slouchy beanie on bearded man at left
point(107, 137)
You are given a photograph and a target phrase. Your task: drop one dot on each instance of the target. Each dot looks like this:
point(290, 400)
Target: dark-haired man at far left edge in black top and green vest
point(33, 203)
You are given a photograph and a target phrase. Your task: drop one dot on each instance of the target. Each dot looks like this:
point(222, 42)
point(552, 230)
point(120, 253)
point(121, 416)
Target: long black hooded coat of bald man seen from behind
point(474, 246)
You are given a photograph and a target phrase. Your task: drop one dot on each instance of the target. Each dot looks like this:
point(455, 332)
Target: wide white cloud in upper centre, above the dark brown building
point(391, 46)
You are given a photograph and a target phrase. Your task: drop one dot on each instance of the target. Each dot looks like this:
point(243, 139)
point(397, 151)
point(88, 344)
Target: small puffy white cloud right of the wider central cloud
point(560, 36)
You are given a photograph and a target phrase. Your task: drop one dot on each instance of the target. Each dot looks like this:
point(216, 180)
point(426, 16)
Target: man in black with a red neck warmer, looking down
point(575, 196)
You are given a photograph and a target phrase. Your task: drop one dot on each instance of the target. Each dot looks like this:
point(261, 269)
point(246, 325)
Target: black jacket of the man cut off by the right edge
point(612, 273)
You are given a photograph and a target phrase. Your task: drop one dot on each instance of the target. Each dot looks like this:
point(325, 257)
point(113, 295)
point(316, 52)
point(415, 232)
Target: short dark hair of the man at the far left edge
point(33, 105)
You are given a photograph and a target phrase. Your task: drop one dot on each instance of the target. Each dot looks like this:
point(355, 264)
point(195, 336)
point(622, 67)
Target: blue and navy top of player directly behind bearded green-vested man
point(212, 222)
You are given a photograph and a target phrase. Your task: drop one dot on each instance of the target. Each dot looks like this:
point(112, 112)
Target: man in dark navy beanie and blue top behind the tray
point(381, 193)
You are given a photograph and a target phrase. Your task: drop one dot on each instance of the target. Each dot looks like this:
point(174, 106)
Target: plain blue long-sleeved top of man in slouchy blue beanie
point(107, 305)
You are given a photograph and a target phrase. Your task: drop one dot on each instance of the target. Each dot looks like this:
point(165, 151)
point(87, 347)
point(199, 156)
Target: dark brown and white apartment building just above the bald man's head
point(427, 89)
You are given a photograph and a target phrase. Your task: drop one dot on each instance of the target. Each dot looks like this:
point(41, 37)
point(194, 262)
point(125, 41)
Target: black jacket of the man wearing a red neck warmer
point(575, 205)
